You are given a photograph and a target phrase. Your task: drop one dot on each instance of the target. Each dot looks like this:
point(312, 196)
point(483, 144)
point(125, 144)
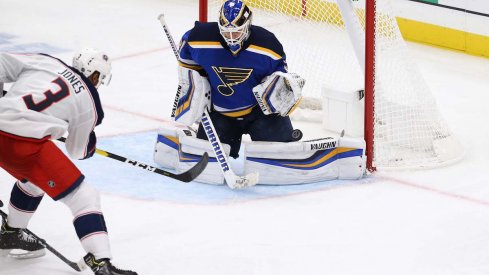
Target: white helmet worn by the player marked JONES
point(89, 60)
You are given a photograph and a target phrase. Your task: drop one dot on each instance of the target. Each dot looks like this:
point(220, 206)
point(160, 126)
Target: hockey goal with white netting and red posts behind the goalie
point(350, 45)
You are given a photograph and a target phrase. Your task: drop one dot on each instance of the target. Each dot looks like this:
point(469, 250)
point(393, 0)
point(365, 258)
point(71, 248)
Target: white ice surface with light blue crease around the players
point(416, 222)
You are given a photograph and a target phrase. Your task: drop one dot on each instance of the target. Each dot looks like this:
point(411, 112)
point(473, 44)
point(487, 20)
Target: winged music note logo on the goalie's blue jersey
point(230, 77)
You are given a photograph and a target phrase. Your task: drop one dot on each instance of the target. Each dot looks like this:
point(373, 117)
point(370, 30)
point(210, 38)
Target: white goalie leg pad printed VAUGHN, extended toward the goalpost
point(306, 162)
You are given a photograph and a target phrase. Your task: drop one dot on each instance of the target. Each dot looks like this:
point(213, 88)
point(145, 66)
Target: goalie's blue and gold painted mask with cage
point(234, 23)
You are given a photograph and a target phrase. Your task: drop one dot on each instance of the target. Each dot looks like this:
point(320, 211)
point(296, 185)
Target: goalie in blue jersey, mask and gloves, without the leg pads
point(251, 91)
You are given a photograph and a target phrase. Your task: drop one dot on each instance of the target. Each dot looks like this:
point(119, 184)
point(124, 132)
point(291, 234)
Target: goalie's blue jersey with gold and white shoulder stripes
point(232, 76)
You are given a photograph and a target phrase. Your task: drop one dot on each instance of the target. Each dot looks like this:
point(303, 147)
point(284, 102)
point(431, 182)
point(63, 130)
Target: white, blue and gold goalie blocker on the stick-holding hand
point(195, 96)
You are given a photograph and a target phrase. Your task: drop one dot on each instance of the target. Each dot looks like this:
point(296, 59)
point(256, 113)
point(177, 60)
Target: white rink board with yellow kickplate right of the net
point(455, 24)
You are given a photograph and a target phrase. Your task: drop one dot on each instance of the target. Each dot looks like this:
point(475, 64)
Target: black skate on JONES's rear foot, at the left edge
point(16, 243)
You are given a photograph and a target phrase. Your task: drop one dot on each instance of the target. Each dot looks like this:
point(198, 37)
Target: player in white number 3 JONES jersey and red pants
point(47, 99)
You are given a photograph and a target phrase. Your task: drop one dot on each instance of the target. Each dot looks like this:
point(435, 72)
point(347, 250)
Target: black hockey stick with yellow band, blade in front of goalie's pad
point(186, 176)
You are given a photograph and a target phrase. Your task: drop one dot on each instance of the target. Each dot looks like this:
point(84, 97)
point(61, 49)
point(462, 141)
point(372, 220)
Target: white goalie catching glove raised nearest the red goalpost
point(279, 93)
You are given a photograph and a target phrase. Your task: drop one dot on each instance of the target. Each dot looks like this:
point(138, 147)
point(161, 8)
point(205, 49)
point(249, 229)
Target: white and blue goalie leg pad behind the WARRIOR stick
point(180, 149)
